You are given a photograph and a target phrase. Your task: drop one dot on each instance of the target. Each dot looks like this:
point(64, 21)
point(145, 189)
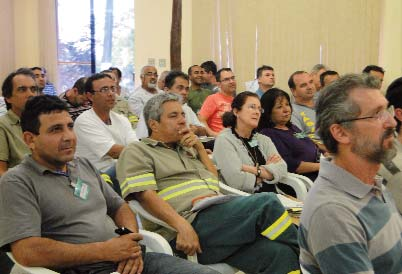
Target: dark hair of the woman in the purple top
point(268, 101)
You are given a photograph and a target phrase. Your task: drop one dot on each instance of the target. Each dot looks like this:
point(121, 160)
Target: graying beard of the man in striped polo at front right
point(376, 153)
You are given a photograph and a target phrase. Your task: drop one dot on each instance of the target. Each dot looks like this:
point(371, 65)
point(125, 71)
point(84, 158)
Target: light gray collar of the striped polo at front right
point(346, 181)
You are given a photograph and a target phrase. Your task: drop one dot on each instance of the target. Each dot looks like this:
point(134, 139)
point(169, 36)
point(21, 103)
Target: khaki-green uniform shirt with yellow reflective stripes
point(175, 174)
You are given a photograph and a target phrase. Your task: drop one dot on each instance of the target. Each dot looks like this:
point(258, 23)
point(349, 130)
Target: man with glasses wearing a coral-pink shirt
point(217, 104)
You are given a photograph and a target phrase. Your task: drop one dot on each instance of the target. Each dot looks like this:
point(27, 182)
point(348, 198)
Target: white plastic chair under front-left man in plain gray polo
point(153, 241)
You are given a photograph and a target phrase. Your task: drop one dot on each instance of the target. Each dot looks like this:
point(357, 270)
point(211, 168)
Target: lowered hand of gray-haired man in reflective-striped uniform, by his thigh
point(187, 239)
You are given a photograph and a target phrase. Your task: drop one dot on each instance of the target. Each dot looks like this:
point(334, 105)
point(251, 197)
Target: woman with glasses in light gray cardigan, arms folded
point(246, 159)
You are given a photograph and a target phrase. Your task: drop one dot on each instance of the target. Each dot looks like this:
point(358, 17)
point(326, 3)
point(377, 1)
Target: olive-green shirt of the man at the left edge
point(12, 147)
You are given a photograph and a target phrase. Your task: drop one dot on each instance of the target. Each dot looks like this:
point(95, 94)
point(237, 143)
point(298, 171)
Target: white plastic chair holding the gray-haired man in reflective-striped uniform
point(137, 208)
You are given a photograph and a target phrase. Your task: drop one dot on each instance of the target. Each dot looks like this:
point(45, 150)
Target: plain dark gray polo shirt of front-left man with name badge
point(37, 202)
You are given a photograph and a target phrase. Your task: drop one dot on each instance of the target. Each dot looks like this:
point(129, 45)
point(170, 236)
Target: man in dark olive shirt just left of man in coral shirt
point(197, 95)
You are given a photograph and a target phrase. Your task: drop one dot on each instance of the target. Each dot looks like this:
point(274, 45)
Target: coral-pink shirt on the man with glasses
point(213, 108)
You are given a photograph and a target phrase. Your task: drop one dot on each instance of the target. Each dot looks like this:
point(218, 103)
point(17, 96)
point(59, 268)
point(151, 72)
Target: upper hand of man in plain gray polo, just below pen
point(122, 248)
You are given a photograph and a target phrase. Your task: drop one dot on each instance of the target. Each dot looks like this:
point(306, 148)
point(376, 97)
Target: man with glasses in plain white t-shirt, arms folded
point(101, 133)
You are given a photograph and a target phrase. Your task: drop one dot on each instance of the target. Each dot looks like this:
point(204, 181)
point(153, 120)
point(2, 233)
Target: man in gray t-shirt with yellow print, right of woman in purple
point(303, 115)
